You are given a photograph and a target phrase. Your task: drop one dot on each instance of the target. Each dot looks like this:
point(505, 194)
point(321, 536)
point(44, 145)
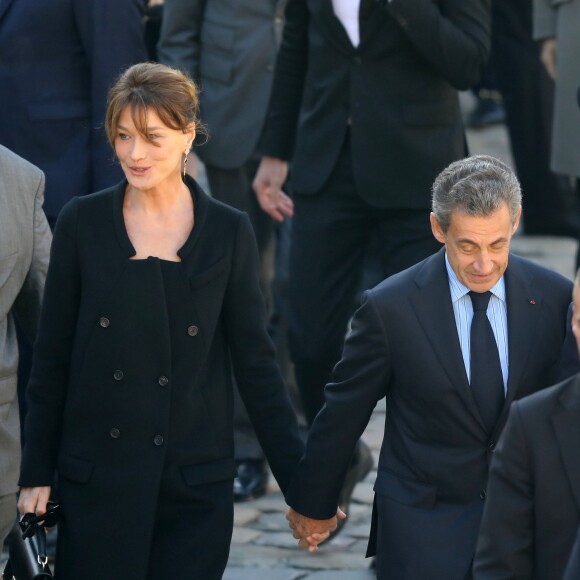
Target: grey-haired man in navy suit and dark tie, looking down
point(415, 341)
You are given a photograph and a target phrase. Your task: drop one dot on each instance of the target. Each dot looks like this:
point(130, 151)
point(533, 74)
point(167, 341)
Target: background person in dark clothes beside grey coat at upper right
point(528, 97)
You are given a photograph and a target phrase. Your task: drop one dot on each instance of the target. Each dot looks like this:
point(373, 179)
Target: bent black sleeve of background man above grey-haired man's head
point(453, 35)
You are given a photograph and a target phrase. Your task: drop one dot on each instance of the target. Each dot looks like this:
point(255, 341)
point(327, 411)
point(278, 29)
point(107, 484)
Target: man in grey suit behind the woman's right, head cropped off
point(229, 48)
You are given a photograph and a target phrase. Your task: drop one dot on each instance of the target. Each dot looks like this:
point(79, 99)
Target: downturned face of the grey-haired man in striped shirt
point(478, 247)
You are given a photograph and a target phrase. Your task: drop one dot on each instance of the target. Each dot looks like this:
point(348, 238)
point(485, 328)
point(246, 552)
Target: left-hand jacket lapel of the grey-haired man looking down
point(435, 313)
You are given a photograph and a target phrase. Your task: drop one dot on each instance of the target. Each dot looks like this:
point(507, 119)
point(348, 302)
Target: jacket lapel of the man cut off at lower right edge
point(566, 425)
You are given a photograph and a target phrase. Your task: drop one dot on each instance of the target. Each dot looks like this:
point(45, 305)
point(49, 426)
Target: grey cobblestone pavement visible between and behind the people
point(263, 548)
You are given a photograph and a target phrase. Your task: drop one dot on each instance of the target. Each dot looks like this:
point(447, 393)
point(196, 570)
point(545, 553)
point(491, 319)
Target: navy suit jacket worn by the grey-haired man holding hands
point(432, 472)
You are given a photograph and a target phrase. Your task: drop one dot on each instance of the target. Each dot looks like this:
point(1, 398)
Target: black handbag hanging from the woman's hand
point(27, 559)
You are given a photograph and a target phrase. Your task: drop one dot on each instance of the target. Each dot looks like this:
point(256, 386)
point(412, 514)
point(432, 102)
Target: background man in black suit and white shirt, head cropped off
point(364, 104)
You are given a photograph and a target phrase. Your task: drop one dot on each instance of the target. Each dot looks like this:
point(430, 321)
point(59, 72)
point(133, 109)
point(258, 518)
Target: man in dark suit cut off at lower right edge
point(531, 518)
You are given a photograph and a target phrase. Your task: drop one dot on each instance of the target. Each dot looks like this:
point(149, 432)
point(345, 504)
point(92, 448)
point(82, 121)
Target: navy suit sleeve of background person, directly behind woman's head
point(112, 33)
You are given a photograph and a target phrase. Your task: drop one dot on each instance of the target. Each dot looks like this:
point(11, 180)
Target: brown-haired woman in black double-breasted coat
point(152, 302)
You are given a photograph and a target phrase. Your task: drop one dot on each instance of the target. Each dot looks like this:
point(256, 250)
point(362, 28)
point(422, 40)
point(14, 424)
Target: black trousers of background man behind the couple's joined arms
point(331, 233)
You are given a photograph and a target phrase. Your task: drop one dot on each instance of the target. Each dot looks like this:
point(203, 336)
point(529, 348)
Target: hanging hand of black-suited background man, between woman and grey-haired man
point(268, 182)
